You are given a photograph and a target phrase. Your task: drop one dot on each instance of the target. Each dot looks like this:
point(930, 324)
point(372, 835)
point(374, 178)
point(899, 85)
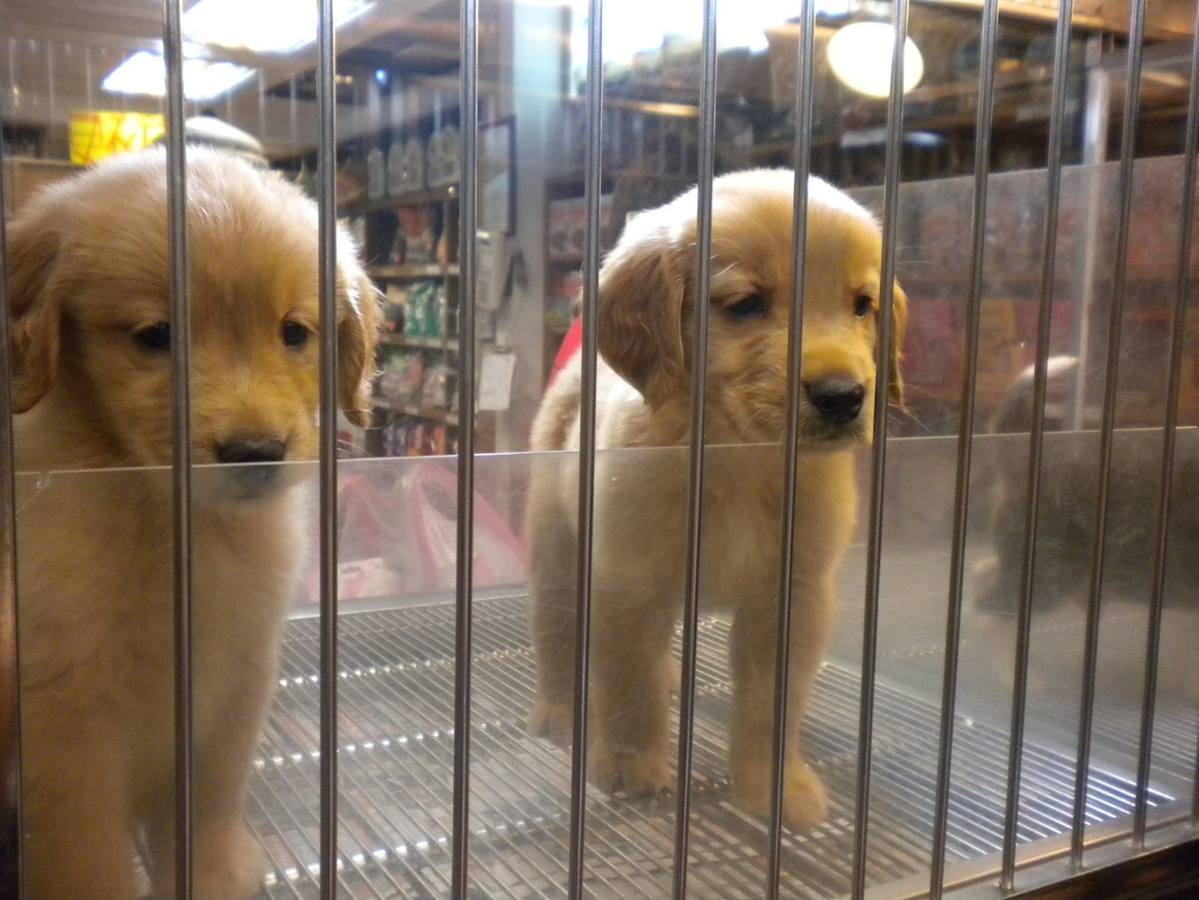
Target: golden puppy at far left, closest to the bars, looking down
point(89, 275)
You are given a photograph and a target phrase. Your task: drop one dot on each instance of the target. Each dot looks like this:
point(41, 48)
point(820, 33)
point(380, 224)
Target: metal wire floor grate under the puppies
point(396, 776)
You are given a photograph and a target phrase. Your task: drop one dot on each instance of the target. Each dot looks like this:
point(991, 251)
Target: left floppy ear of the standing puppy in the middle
point(641, 312)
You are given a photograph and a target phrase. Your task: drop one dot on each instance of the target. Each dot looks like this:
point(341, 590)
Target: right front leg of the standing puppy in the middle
point(752, 730)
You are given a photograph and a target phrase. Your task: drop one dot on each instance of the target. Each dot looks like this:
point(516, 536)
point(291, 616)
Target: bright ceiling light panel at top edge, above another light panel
point(263, 26)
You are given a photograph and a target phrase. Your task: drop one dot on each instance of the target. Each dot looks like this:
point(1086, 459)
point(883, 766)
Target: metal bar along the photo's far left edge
point(10, 663)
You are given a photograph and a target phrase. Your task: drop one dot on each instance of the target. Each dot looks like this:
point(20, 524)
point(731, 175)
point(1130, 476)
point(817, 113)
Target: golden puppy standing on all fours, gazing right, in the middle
point(647, 305)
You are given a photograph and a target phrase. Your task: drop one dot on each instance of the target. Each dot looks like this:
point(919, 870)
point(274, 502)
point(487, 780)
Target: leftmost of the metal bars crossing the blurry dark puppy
point(1037, 440)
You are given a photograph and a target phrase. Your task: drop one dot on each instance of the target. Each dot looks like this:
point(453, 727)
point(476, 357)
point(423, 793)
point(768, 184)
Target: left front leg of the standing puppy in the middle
point(631, 697)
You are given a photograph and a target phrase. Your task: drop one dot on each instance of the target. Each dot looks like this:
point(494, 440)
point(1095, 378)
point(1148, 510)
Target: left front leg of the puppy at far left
point(76, 806)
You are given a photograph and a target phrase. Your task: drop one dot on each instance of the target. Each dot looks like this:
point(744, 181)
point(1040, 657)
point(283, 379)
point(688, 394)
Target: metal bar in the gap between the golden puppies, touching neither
point(465, 573)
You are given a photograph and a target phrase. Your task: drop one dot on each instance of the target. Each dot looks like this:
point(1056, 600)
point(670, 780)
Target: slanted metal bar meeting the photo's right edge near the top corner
point(1178, 340)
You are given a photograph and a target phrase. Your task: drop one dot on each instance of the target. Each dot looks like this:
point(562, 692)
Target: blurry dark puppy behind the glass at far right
point(1067, 522)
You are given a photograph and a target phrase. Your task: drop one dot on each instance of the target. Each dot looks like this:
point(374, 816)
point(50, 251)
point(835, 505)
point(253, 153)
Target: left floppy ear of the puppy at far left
point(34, 246)
